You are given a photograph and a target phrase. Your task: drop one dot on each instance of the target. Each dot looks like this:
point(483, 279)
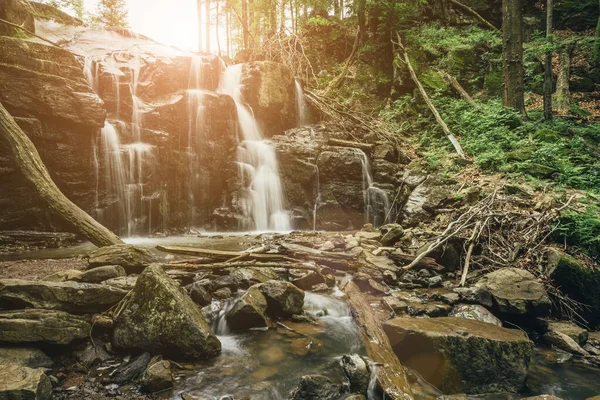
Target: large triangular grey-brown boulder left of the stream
point(159, 317)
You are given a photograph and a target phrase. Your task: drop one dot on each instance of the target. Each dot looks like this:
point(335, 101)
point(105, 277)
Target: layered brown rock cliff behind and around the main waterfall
point(139, 135)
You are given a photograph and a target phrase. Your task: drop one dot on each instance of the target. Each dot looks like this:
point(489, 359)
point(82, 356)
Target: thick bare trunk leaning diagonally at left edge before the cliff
point(34, 171)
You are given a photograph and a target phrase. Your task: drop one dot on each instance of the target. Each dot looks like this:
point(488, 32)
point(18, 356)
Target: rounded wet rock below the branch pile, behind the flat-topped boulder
point(516, 291)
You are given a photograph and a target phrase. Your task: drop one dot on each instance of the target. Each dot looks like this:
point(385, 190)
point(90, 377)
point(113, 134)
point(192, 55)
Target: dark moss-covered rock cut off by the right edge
point(577, 281)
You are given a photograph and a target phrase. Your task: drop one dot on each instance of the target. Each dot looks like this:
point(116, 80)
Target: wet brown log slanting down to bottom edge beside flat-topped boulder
point(390, 374)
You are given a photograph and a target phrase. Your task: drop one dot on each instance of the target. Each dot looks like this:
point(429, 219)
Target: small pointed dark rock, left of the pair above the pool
point(249, 311)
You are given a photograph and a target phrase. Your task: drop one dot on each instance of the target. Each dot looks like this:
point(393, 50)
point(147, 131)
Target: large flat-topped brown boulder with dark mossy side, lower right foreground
point(459, 355)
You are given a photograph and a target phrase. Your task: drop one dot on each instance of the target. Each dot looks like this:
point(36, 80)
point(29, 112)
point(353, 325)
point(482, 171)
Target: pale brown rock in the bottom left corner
point(22, 383)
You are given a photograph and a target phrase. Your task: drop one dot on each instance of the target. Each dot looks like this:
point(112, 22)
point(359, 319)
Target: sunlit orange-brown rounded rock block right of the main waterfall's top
point(269, 91)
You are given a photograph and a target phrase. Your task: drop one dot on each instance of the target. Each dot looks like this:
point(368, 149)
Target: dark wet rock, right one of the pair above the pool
point(283, 298)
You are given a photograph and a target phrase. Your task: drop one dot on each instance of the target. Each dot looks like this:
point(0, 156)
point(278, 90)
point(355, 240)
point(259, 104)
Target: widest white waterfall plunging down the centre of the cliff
point(263, 202)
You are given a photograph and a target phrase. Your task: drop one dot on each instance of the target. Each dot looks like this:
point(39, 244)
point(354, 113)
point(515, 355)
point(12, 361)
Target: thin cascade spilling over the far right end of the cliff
point(377, 202)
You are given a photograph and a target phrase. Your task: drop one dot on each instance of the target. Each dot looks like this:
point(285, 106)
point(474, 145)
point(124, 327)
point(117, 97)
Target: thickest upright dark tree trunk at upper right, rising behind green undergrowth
point(512, 49)
